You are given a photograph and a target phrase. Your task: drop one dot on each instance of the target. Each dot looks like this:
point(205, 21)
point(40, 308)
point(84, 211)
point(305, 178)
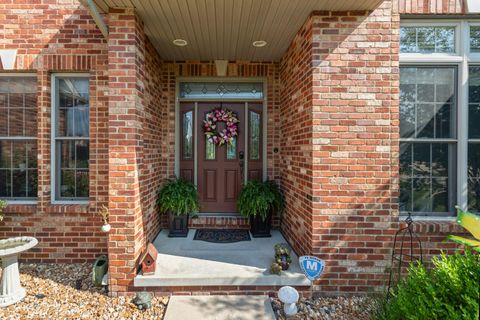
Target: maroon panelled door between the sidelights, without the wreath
point(220, 170)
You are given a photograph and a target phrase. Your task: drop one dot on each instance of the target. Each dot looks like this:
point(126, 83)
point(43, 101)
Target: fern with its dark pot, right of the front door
point(258, 201)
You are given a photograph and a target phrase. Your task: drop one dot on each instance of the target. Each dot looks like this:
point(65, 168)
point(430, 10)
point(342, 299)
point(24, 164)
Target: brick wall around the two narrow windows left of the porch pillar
point(50, 39)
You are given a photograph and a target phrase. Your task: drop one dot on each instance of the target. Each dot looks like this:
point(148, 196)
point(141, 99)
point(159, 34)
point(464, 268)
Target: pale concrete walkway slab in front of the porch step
point(219, 308)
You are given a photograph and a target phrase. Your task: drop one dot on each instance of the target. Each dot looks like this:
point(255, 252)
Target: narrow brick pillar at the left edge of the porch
point(125, 62)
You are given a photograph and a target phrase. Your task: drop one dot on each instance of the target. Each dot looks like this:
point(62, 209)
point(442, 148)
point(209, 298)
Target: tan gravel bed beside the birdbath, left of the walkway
point(52, 294)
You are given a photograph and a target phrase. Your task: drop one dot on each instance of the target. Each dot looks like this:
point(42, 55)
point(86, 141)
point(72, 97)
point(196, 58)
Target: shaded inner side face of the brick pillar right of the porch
point(296, 128)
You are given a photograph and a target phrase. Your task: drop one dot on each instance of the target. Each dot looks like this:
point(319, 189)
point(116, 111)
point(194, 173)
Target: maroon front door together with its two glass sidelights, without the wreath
point(220, 170)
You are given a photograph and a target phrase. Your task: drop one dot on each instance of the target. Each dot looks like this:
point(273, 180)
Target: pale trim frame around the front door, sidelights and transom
point(264, 101)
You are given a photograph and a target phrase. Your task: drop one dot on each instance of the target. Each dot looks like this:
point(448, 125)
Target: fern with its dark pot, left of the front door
point(179, 199)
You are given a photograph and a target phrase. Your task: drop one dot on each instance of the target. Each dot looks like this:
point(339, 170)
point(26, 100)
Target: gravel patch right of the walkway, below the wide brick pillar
point(352, 308)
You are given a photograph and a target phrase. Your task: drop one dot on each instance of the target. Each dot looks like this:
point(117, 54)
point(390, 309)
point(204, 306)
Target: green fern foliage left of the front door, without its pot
point(178, 197)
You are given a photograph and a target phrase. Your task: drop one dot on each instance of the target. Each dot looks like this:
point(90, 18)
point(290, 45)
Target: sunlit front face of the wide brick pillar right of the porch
point(355, 173)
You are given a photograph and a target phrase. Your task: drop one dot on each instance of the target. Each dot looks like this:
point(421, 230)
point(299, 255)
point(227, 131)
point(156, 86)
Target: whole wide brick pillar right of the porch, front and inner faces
point(342, 73)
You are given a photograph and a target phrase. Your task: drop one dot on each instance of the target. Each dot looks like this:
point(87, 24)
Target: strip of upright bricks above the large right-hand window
point(431, 6)
